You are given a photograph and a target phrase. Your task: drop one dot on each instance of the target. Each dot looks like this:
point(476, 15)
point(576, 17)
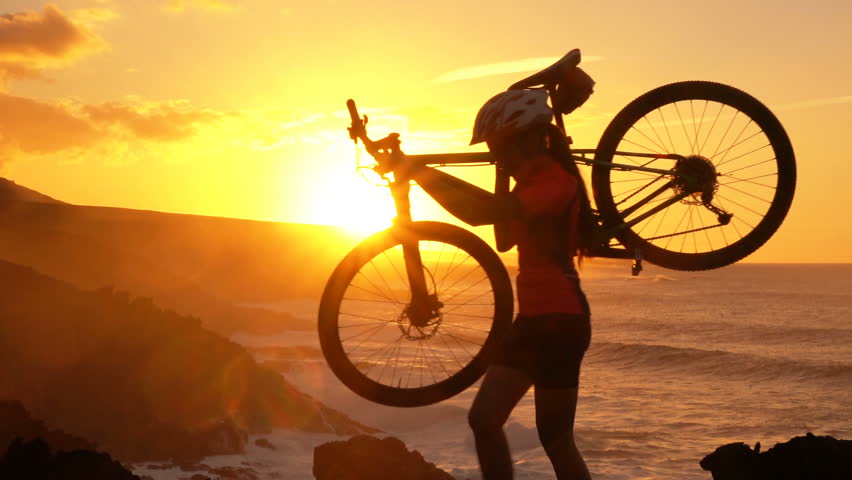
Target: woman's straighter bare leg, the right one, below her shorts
point(554, 416)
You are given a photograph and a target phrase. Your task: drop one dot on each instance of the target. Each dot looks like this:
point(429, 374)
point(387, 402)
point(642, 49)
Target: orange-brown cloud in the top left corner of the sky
point(31, 41)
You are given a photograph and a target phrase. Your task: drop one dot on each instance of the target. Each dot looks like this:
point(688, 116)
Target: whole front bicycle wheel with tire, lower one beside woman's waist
point(370, 340)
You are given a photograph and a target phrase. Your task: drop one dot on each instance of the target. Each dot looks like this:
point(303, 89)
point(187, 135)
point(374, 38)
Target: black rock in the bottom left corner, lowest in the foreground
point(33, 460)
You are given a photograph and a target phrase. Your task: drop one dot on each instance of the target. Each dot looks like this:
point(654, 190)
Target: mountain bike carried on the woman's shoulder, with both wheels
point(692, 175)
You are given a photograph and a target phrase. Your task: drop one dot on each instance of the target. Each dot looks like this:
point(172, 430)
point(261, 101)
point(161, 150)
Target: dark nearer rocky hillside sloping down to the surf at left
point(141, 382)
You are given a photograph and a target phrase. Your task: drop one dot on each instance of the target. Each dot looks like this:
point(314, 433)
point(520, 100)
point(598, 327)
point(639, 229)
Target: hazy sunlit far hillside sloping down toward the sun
point(208, 267)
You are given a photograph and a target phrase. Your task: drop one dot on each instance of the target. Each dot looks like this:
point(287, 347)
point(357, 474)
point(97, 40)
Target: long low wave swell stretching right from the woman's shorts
point(694, 361)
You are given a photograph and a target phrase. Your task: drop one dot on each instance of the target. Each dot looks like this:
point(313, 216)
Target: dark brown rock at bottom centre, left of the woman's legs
point(364, 457)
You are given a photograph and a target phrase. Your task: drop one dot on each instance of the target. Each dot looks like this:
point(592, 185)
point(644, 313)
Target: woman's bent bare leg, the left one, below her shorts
point(502, 389)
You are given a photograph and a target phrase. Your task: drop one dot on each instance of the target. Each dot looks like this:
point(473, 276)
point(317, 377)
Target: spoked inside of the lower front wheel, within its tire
point(379, 337)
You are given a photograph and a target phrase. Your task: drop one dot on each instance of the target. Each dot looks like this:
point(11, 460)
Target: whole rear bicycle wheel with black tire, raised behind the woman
point(762, 200)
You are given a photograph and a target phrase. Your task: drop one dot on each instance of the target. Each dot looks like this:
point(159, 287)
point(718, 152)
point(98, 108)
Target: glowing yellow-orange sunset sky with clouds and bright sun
point(237, 108)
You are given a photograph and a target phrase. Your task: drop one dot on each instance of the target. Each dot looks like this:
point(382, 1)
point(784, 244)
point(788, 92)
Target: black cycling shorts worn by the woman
point(549, 348)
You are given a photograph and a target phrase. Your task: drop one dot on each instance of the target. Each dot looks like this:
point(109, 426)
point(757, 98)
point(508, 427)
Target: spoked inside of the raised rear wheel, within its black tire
point(743, 182)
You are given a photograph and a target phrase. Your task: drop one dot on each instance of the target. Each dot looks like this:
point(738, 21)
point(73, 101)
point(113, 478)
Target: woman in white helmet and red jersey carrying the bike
point(548, 216)
